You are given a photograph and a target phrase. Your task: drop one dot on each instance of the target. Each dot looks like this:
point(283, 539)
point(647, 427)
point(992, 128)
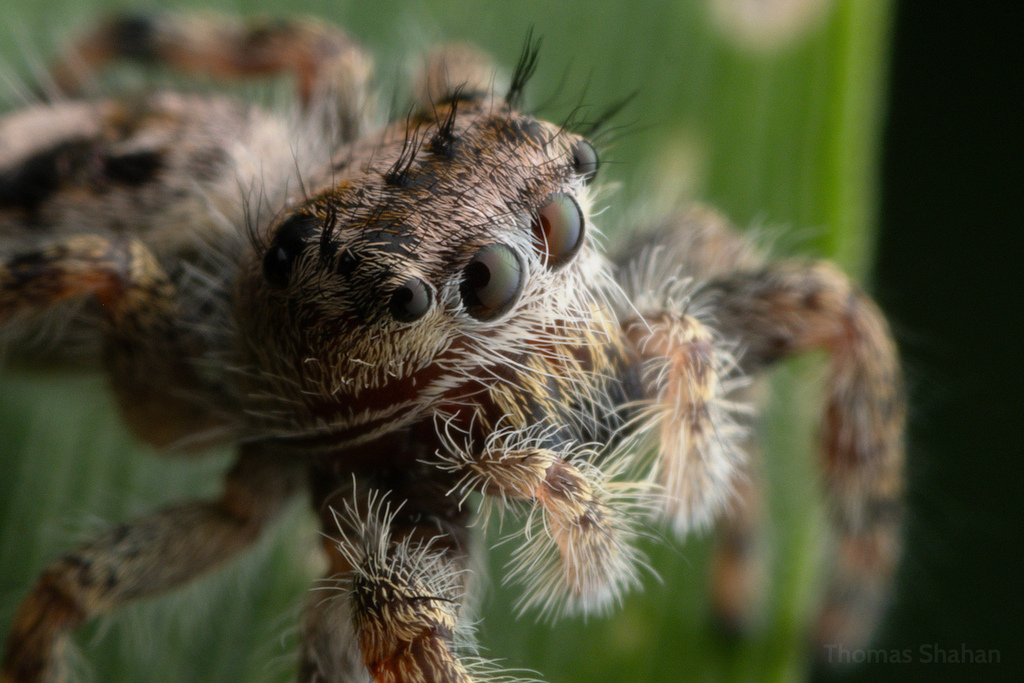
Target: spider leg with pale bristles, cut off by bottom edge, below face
point(396, 596)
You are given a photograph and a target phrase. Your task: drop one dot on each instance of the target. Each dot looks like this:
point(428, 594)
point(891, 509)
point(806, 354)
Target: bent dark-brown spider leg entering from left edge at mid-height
point(145, 351)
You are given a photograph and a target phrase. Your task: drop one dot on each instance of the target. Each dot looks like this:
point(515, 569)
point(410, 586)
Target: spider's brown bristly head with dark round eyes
point(434, 253)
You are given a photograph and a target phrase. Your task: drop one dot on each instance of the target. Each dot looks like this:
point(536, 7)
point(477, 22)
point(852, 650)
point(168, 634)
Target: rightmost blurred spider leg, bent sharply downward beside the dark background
point(788, 309)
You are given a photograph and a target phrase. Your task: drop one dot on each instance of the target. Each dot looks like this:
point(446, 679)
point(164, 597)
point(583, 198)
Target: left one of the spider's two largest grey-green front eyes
point(492, 282)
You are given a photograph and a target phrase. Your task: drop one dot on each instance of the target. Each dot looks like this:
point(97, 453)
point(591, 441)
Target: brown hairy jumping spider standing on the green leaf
point(411, 322)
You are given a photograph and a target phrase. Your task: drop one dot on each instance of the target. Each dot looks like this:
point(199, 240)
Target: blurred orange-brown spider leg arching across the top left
point(332, 70)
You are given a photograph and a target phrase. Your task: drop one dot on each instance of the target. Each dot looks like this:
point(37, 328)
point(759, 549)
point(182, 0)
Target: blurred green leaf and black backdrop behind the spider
point(776, 118)
